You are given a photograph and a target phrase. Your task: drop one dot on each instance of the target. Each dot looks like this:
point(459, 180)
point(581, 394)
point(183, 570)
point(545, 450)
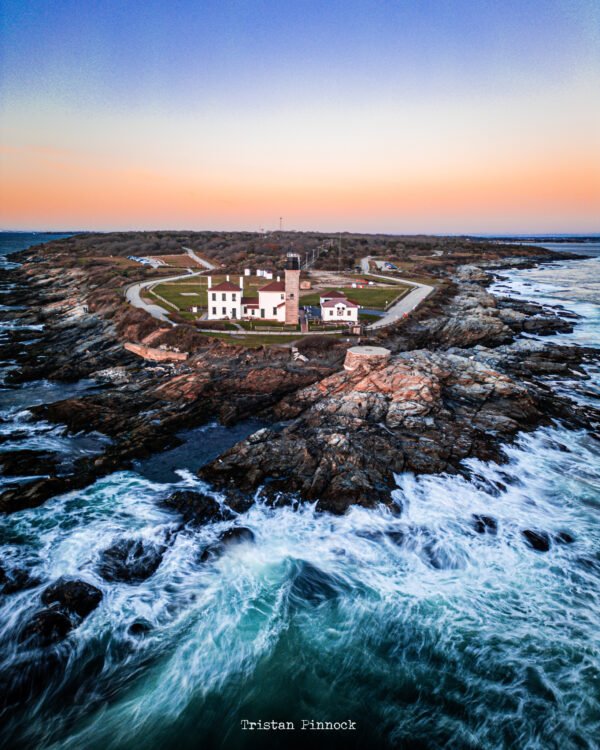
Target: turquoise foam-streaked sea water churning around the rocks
point(449, 639)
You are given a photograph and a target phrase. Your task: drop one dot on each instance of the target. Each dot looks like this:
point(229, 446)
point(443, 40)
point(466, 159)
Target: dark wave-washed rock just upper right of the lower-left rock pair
point(131, 560)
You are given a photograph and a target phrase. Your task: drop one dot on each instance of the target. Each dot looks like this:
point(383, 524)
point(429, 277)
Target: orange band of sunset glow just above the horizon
point(63, 193)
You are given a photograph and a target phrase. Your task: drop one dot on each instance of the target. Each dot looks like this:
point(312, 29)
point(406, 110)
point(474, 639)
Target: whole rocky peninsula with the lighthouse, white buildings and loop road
point(459, 381)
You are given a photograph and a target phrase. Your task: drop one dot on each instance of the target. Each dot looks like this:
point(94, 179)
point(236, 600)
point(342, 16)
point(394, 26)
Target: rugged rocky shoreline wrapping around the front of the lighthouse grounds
point(460, 382)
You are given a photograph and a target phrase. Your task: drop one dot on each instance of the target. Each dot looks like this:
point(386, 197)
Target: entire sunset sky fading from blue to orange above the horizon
point(475, 116)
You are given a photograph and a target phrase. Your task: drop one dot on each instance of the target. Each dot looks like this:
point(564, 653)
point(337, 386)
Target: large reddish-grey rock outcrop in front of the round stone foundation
point(423, 412)
